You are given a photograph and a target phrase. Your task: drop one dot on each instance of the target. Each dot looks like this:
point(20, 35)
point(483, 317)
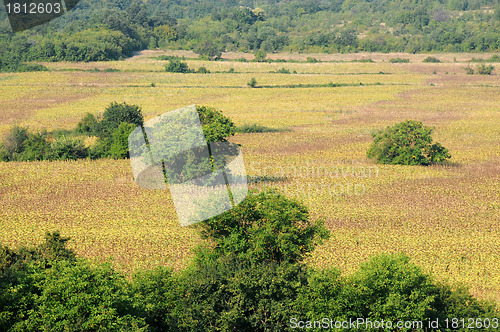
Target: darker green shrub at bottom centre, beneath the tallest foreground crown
point(229, 294)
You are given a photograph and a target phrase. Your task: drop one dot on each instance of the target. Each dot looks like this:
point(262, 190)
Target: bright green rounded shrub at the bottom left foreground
point(77, 296)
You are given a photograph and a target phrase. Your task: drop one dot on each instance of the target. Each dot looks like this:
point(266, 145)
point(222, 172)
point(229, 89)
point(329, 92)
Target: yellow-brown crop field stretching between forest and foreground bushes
point(447, 218)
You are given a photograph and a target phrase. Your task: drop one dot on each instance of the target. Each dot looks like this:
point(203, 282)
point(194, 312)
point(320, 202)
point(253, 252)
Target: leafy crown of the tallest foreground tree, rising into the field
point(255, 232)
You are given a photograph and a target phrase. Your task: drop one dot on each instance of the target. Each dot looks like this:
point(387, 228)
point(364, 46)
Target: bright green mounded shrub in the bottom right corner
point(388, 287)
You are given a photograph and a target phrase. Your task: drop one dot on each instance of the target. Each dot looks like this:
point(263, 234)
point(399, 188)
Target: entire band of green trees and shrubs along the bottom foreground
point(250, 276)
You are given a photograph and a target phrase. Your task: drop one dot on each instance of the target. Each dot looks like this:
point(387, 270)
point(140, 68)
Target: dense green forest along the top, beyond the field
point(113, 29)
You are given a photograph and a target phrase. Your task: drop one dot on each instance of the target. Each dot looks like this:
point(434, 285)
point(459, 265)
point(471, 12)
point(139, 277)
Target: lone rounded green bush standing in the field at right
point(406, 143)
